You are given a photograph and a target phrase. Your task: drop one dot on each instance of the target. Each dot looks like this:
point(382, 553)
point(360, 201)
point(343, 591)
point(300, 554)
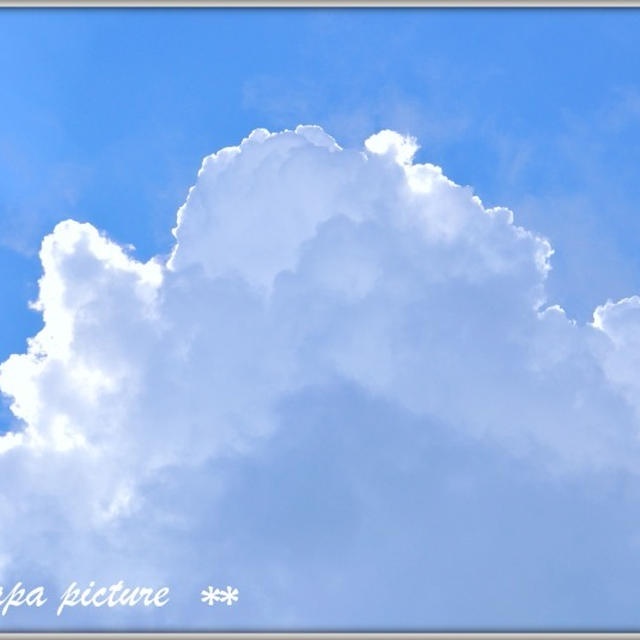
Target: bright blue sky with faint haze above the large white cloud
point(108, 113)
